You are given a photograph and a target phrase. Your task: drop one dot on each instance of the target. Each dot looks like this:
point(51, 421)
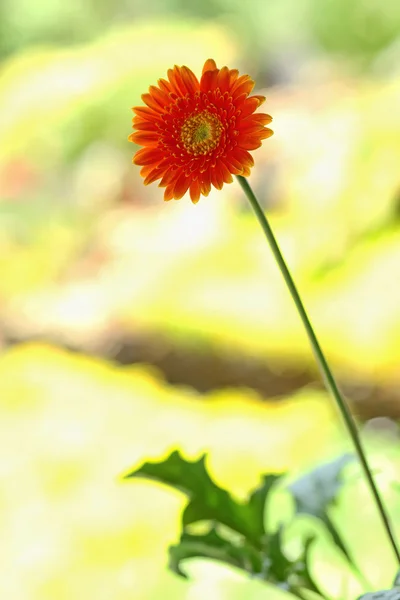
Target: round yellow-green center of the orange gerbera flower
point(201, 133)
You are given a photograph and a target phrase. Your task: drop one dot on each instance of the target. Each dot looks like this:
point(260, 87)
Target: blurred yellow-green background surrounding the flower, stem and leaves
point(130, 326)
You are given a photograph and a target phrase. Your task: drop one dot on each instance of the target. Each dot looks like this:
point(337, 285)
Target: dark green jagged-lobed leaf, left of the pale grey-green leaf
point(236, 534)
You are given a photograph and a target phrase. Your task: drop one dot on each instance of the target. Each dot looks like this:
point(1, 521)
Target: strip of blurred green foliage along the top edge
point(358, 30)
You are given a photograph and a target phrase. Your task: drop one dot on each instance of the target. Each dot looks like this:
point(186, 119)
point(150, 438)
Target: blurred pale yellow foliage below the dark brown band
point(71, 424)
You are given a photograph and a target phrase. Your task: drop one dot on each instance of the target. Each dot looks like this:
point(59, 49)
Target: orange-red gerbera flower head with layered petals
point(197, 134)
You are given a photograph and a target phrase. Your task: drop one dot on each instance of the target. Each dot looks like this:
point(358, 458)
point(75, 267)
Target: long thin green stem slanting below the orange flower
point(321, 360)
